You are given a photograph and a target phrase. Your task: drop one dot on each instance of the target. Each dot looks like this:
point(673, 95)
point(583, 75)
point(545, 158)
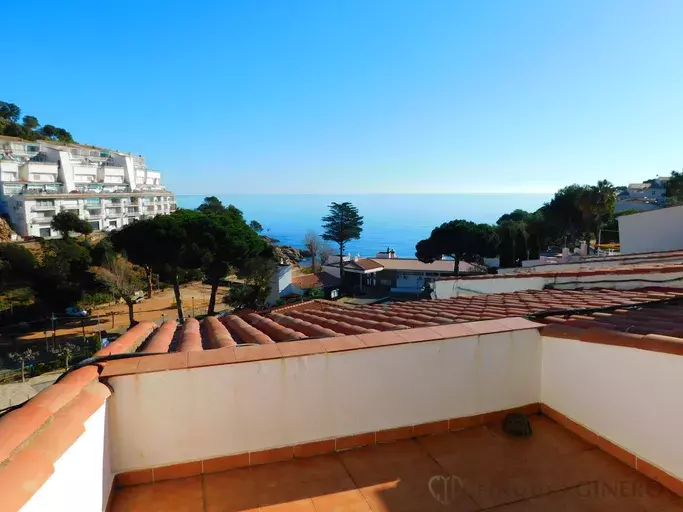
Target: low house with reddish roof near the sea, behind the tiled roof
point(388, 273)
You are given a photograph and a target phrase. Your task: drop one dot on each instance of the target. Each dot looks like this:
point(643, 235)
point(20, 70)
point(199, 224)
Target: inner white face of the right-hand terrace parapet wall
point(628, 396)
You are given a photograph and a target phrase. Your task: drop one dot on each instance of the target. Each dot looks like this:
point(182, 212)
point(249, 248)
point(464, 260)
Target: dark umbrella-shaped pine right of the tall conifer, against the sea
point(461, 240)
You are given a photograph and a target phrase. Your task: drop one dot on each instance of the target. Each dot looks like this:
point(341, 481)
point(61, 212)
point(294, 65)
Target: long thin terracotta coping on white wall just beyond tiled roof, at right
point(642, 268)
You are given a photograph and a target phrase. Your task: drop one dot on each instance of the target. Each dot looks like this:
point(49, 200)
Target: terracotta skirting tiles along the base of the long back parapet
point(312, 448)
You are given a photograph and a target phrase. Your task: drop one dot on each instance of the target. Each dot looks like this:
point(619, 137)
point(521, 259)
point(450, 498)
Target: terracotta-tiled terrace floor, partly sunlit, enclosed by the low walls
point(474, 469)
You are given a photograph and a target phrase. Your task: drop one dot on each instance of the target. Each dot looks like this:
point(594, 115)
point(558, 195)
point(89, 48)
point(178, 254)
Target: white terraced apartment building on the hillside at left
point(107, 188)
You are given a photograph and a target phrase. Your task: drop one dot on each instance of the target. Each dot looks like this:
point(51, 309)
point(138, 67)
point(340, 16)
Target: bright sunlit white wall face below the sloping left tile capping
point(82, 478)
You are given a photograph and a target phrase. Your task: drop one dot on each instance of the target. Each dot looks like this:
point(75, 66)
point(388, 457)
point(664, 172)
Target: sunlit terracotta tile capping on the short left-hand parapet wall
point(34, 437)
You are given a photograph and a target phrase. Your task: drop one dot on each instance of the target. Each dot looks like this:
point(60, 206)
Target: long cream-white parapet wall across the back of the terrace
point(176, 416)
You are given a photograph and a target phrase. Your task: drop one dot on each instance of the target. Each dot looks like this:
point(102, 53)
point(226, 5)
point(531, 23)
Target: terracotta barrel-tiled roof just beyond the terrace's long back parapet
point(324, 319)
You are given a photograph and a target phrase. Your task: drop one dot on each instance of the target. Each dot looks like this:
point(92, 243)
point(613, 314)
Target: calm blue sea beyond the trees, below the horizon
point(396, 221)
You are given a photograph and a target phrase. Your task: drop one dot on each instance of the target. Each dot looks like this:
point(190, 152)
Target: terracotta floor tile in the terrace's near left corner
point(182, 495)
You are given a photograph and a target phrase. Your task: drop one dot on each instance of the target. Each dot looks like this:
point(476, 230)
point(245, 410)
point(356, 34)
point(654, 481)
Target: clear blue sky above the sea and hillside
point(360, 96)
